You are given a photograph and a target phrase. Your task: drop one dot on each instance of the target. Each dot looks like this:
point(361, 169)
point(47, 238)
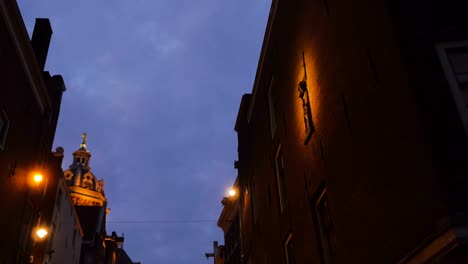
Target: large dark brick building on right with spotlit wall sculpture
point(353, 144)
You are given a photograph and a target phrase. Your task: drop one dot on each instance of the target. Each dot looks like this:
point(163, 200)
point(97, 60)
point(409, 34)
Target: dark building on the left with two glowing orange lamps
point(29, 108)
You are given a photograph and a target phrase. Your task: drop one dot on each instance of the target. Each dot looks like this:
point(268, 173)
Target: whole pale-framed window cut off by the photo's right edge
point(454, 60)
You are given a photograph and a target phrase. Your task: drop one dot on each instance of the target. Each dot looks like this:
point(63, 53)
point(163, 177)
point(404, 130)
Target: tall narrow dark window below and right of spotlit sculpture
point(324, 226)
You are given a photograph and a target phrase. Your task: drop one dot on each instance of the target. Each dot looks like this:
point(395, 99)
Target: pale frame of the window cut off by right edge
point(441, 49)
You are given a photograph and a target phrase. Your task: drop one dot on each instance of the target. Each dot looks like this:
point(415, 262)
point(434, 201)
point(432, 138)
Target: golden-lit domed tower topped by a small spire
point(85, 188)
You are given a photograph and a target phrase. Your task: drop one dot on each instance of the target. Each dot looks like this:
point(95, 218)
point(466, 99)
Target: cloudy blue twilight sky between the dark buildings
point(156, 84)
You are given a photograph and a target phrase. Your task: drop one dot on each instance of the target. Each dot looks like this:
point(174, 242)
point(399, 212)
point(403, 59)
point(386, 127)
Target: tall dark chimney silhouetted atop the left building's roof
point(40, 40)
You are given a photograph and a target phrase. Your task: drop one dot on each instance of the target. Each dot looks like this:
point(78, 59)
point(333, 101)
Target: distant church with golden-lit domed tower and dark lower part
point(90, 202)
